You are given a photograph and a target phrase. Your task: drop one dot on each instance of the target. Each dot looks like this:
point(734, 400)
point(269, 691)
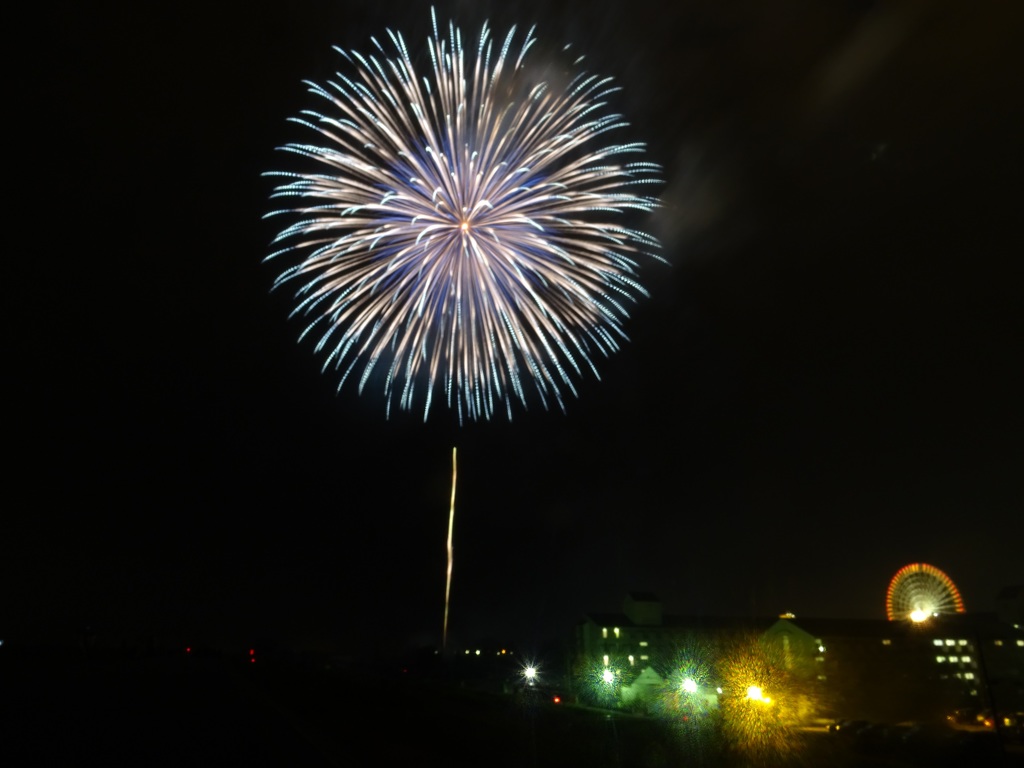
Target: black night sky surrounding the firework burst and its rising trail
point(825, 386)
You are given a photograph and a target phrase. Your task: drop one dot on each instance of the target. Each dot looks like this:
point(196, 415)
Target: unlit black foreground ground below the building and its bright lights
point(189, 711)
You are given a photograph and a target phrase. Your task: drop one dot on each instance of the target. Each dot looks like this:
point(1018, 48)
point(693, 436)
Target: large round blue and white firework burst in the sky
point(465, 230)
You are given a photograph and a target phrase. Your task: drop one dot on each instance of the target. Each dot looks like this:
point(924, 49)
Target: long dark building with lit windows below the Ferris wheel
point(874, 670)
